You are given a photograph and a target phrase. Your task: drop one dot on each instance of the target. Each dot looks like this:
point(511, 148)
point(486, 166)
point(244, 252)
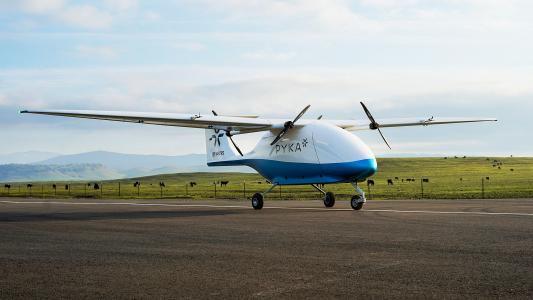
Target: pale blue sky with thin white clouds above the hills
point(456, 58)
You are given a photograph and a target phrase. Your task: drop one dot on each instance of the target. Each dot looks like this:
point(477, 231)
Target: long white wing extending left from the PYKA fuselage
point(235, 124)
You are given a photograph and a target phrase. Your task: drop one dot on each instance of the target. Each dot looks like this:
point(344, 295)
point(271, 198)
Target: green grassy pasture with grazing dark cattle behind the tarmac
point(451, 178)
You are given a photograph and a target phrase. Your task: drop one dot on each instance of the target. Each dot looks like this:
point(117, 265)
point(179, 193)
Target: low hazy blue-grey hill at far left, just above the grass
point(26, 172)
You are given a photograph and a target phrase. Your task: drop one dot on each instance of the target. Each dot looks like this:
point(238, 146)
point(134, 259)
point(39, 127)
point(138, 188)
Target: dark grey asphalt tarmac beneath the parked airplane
point(224, 249)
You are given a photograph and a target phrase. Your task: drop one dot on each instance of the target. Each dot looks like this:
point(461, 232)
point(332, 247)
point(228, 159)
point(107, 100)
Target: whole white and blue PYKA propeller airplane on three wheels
point(291, 152)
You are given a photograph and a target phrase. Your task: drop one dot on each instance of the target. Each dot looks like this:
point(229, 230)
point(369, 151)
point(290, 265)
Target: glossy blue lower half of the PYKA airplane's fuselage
point(287, 173)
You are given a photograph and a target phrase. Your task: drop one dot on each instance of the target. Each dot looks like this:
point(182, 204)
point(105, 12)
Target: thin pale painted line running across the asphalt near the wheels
point(271, 207)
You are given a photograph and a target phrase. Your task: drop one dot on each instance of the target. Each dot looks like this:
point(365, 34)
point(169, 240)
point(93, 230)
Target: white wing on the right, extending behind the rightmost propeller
point(384, 123)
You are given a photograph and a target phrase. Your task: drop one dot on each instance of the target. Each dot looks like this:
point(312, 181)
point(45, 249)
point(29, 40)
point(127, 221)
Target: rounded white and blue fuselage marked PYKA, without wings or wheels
point(317, 152)
